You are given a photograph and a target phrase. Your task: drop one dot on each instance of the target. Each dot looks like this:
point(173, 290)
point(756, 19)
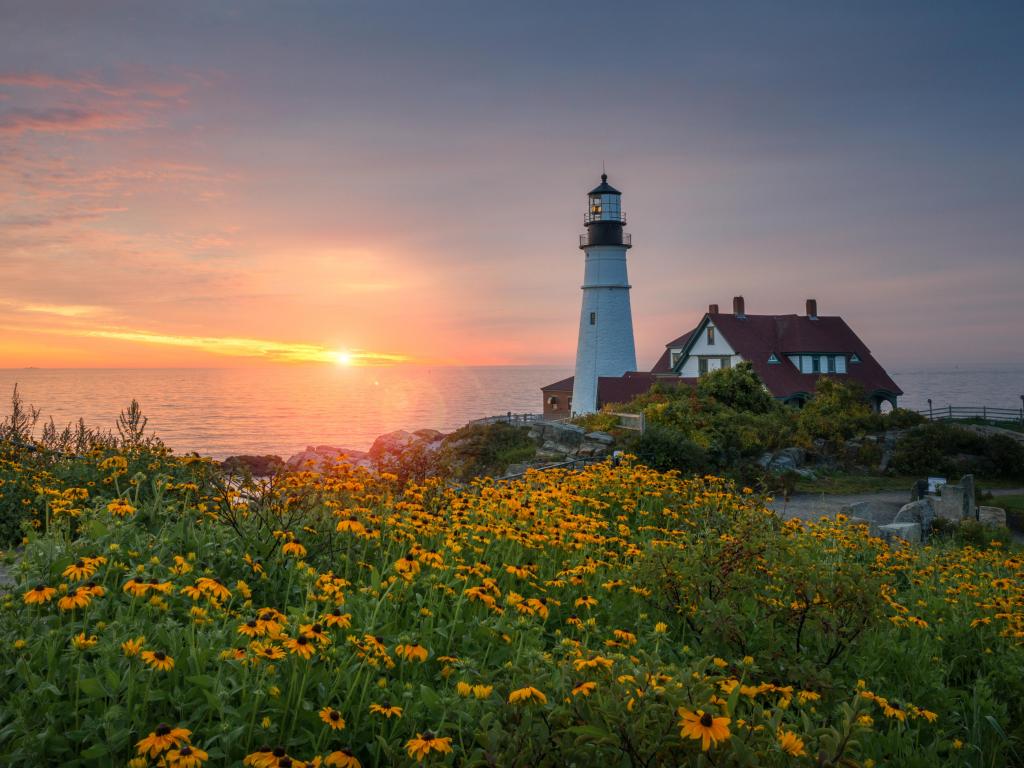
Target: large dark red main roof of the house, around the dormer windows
point(756, 337)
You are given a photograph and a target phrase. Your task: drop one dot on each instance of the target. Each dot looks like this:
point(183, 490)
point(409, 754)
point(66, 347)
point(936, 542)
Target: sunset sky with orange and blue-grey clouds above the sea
point(232, 184)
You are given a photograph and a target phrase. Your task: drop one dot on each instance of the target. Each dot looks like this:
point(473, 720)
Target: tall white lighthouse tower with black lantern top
point(606, 346)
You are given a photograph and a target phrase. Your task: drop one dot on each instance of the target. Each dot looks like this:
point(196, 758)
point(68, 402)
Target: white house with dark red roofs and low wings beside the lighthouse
point(790, 354)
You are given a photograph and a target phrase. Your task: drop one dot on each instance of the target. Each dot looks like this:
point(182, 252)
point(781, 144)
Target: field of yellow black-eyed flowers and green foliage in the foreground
point(165, 616)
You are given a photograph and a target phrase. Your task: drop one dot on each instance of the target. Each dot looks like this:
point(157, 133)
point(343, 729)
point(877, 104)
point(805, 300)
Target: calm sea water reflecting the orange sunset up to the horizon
point(281, 410)
